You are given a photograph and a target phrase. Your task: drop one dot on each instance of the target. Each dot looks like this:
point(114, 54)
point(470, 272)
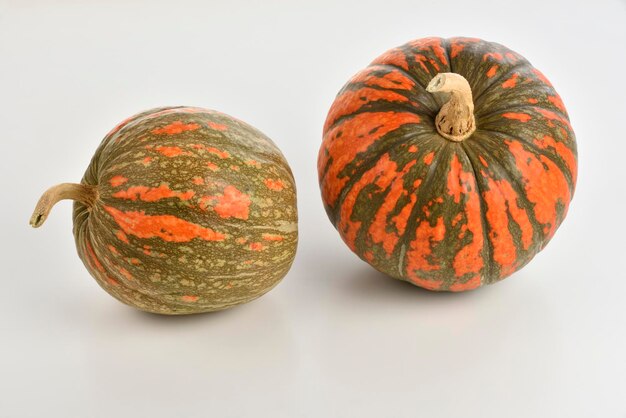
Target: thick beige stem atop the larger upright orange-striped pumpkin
point(455, 120)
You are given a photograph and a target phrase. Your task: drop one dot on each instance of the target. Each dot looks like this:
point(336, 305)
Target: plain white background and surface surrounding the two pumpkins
point(335, 338)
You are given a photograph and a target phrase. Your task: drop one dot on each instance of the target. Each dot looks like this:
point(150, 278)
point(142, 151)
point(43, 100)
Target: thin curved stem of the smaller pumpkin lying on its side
point(81, 192)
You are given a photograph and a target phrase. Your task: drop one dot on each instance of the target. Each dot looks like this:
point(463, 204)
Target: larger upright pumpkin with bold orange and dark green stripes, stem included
point(448, 163)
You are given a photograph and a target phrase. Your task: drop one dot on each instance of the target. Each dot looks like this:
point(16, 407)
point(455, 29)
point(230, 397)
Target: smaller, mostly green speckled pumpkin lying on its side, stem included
point(183, 210)
